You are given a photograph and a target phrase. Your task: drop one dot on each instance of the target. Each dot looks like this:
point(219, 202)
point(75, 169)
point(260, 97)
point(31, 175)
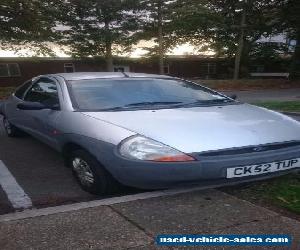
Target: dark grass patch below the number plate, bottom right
point(282, 192)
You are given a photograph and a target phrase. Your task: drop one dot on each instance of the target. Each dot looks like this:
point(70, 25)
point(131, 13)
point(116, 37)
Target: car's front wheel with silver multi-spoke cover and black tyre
point(90, 174)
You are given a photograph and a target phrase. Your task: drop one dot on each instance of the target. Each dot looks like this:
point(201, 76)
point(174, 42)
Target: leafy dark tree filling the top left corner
point(28, 24)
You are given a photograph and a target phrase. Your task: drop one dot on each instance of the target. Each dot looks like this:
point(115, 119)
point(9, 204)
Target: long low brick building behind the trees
point(15, 71)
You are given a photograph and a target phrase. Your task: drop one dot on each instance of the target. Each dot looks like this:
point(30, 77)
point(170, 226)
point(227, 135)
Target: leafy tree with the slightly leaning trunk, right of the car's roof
point(229, 27)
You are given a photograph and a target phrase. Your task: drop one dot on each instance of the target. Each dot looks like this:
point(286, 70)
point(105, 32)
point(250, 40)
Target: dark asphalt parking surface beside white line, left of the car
point(40, 171)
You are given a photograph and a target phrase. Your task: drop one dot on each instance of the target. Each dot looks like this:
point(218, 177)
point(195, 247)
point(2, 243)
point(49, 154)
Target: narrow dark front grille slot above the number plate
point(251, 149)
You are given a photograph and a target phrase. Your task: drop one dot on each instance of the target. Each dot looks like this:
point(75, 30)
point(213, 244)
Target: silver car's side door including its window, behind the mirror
point(42, 123)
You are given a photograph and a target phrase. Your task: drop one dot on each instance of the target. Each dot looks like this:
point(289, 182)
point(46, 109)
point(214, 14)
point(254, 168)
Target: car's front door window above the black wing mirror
point(43, 91)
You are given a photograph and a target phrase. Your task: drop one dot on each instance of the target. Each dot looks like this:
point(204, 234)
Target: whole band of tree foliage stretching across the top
point(111, 27)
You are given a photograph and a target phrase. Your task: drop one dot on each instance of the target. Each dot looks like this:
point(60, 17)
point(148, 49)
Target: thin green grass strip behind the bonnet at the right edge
point(290, 106)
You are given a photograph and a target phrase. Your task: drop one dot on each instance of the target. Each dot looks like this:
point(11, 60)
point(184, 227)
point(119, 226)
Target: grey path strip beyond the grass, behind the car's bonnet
point(267, 95)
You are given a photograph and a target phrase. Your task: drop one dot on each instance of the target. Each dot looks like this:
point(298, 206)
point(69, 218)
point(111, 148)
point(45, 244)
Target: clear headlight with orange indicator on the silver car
point(142, 148)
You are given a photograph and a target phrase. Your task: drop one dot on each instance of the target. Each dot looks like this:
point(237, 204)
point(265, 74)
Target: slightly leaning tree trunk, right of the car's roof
point(240, 47)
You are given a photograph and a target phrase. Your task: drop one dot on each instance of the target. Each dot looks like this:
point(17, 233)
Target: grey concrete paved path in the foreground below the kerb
point(135, 224)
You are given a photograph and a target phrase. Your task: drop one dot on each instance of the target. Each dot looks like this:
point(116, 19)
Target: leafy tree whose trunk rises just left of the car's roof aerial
point(99, 27)
